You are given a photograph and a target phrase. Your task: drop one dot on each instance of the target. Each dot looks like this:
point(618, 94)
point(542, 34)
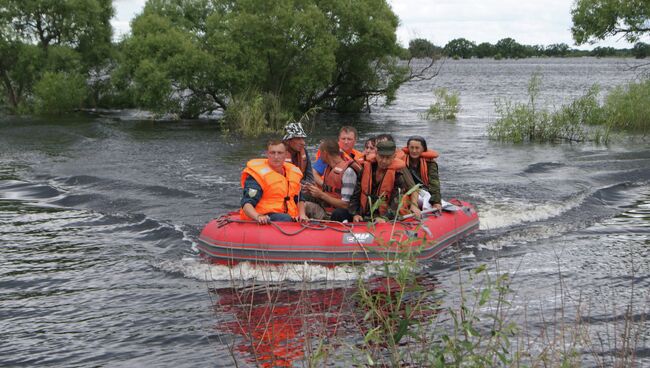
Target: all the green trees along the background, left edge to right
point(284, 57)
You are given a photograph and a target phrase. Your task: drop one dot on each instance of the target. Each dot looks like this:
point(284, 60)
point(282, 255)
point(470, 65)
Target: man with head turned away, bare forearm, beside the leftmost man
point(339, 181)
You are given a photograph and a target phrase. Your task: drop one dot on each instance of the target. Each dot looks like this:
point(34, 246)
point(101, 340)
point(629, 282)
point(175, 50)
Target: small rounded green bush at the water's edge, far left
point(59, 92)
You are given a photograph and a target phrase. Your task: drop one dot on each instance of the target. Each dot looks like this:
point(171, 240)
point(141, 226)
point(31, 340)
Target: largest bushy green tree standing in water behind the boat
point(193, 57)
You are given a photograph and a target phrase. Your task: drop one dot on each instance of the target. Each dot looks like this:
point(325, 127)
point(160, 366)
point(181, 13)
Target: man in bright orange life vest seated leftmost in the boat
point(272, 188)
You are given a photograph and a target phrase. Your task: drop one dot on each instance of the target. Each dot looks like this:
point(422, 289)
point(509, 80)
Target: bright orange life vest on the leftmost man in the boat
point(278, 190)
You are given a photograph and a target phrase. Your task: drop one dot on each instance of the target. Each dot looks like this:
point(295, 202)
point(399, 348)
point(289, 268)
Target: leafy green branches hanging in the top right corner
point(598, 19)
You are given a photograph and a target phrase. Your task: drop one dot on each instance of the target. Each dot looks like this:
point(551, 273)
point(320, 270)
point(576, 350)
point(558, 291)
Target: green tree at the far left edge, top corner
point(38, 36)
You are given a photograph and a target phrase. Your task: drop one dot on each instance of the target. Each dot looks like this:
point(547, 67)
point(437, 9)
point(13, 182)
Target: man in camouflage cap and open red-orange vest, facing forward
point(384, 177)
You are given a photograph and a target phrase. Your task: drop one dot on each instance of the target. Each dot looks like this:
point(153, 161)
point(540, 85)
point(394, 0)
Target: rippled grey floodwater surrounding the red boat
point(99, 216)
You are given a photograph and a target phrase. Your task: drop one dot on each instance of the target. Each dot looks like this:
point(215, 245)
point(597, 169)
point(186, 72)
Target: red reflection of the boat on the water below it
point(278, 326)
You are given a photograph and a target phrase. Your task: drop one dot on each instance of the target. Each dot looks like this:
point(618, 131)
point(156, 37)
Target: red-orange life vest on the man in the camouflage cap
point(386, 185)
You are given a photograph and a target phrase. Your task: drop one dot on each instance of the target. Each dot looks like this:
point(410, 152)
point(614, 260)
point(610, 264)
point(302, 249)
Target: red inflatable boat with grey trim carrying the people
point(229, 240)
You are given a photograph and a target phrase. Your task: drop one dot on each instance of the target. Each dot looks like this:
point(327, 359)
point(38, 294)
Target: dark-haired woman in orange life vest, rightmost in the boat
point(423, 167)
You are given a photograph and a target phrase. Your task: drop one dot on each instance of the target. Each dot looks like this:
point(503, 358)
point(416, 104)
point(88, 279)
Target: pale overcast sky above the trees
point(529, 22)
